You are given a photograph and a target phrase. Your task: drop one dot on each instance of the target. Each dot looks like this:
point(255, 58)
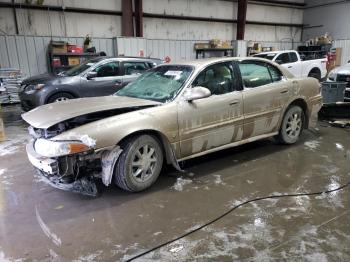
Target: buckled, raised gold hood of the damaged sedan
point(51, 114)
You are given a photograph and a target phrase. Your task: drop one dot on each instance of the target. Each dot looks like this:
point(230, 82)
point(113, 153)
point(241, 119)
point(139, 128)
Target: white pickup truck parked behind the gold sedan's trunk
point(296, 64)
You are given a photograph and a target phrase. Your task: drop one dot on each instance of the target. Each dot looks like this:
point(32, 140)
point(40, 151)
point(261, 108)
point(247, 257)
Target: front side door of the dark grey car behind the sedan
point(107, 81)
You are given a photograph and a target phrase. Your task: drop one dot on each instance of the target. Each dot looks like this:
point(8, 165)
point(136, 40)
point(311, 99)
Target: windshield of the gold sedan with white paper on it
point(159, 84)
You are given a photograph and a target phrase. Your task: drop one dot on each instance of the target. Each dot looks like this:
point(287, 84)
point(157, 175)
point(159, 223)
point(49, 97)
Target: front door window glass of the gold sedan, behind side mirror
point(217, 78)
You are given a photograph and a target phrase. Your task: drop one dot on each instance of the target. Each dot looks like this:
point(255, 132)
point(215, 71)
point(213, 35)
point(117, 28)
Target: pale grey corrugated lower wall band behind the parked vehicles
point(28, 53)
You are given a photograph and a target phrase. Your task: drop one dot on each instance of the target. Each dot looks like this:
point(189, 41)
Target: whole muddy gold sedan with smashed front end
point(171, 113)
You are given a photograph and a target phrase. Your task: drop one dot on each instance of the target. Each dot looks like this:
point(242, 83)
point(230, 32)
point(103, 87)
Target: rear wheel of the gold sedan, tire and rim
point(292, 125)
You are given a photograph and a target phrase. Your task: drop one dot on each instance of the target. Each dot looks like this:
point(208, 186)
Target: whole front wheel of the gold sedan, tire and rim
point(140, 163)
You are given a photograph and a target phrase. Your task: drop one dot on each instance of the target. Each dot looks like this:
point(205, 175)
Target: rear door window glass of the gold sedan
point(254, 74)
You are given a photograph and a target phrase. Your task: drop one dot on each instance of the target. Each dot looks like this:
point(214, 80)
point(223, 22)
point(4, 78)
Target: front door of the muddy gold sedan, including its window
point(214, 121)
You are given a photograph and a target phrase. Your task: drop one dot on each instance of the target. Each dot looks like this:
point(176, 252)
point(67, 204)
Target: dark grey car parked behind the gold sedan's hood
point(96, 77)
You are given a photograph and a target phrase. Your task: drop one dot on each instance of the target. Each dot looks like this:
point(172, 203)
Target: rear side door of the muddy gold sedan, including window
point(265, 94)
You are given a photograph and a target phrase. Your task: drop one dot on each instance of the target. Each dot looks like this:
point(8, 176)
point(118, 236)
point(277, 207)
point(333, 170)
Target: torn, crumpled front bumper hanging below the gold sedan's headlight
point(48, 169)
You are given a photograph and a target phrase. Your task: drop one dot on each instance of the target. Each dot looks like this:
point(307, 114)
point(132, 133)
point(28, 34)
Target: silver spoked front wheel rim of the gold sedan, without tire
point(143, 163)
